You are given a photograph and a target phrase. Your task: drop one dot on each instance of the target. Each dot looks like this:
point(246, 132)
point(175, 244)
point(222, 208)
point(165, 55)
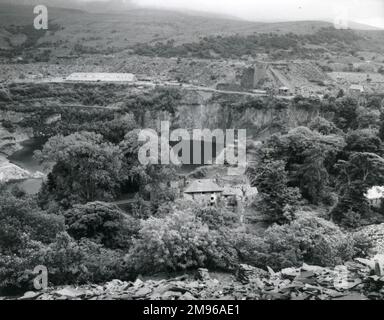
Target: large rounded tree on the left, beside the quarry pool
point(85, 168)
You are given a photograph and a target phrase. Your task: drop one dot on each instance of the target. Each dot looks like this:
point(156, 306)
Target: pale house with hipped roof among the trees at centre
point(204, 191)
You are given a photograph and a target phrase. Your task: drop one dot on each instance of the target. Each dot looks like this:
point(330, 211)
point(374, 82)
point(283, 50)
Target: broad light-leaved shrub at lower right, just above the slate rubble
point(308, 239)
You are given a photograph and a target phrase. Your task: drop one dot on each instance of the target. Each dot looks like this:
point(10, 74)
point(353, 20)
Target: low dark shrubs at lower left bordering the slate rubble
point(68, 262)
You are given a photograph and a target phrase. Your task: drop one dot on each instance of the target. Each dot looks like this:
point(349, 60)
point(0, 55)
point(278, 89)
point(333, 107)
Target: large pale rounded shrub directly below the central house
point(180, 241)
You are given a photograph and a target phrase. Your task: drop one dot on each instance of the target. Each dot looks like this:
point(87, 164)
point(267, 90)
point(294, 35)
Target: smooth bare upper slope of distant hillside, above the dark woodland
point(120, 31)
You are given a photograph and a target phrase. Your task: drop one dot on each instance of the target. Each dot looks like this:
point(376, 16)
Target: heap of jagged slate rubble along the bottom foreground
point(358, 280)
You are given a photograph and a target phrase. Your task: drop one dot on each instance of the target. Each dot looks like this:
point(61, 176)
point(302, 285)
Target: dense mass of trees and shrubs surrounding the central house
point(73, 229)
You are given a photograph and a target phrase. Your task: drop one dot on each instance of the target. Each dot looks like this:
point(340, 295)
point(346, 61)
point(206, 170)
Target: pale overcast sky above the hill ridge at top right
point(369, 12)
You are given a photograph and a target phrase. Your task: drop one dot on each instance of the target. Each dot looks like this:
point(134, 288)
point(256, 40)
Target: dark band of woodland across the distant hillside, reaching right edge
point(277, 45)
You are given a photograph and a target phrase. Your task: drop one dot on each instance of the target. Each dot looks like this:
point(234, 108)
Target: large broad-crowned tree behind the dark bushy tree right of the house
point(309, 158)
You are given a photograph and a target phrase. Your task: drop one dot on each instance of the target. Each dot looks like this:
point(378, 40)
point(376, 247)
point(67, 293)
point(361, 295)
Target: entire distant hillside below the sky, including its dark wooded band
point(79, 32)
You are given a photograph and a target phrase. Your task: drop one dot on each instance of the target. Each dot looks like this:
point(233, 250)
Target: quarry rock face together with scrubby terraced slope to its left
point(33, 106)
